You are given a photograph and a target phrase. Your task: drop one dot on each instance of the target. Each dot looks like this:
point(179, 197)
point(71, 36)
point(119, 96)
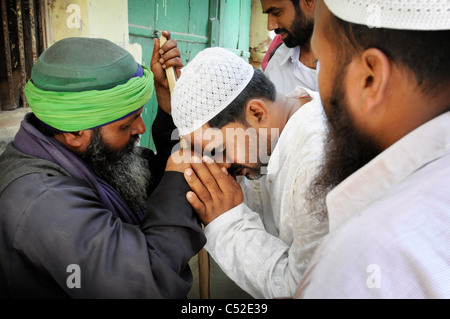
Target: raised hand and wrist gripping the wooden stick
point(163, 58)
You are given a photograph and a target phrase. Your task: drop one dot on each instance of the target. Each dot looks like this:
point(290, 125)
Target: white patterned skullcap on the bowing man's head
point(207, 85)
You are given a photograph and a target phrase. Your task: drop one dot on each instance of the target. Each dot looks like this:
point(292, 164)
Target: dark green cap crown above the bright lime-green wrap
point(83, 64)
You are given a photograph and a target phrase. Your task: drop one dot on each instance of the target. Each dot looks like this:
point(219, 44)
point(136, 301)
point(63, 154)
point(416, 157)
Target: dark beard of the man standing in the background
point(301, 31)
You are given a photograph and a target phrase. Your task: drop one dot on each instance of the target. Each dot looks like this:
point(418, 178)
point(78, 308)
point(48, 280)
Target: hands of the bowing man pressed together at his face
point(214, 190)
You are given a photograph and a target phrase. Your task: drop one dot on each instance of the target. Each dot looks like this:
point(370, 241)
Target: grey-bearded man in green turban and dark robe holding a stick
point(84, 212)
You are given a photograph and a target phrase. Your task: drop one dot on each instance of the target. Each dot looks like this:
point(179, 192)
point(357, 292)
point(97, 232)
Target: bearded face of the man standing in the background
point(283, 17)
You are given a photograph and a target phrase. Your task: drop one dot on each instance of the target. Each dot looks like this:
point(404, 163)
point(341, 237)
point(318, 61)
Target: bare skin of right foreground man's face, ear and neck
point(383, 97)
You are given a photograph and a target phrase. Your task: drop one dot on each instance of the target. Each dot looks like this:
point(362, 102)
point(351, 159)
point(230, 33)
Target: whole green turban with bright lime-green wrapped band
point(83, 83)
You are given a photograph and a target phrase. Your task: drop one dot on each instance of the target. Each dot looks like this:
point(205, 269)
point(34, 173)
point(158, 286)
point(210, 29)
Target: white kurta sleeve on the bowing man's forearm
point(251, 257)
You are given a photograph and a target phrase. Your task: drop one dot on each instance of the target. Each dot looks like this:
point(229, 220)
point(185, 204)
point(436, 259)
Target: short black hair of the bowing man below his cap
point(258, 87)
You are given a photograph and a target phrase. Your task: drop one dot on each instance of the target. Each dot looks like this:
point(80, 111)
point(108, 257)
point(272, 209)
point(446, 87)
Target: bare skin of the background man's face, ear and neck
point(281, 14)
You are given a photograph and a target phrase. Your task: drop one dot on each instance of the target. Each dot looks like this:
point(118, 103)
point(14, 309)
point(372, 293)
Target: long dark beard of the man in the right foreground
point(347, 149)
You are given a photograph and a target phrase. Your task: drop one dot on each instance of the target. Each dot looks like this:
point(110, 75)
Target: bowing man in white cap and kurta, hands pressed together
point(231, 112)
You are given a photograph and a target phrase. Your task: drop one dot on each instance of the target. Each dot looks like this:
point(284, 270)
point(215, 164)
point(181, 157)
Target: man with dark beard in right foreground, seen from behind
point(384, 82)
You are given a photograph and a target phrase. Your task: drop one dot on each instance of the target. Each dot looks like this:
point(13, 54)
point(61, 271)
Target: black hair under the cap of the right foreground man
point(425, 53)
